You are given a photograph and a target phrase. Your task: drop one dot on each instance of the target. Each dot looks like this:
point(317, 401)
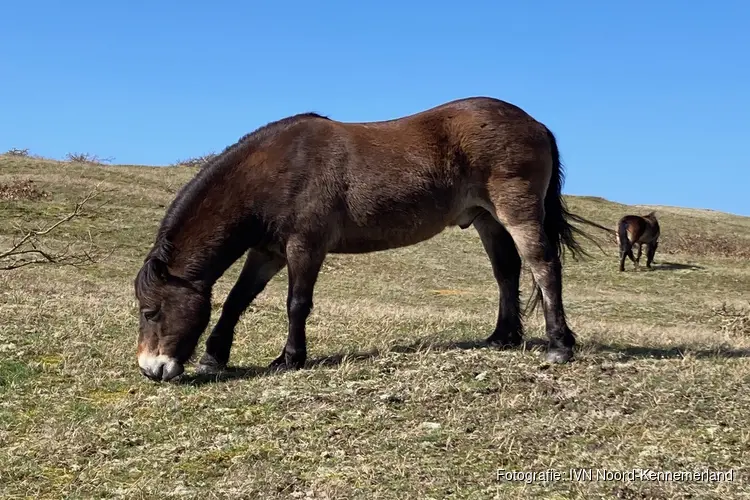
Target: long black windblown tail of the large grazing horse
point(561, 234)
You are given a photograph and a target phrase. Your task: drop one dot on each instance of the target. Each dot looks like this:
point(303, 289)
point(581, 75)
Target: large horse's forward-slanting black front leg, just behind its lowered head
point(257, 271)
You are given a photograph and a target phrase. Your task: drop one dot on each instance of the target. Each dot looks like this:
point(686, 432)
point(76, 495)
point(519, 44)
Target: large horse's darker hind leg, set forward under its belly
point(506, 266)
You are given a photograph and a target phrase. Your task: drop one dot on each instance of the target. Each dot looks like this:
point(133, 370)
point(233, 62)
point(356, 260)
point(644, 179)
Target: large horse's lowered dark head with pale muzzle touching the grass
point(173, 314)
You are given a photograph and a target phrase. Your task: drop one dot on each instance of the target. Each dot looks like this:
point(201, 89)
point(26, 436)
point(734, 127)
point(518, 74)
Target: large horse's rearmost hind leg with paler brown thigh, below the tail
point(523, 221)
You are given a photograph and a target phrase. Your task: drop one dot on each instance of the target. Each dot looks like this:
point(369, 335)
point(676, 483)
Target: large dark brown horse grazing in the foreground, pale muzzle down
point(305, 186)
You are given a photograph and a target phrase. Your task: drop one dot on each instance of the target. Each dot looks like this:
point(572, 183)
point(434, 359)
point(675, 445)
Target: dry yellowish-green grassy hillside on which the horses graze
point(399, 400)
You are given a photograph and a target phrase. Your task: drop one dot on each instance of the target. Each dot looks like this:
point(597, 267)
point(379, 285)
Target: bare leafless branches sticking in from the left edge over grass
point(33, 247)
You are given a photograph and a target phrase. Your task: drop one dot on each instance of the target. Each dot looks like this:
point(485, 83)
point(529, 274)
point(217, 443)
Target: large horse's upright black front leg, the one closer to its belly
point(304, 259)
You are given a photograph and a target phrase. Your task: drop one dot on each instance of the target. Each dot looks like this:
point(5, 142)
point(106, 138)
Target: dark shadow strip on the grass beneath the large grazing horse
point(622, 352)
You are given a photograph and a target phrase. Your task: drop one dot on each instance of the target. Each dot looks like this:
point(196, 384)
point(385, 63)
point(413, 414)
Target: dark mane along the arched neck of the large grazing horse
point(198, 185)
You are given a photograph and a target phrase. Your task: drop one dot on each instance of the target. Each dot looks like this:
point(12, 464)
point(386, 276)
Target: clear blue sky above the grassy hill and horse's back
point(650, 101)
